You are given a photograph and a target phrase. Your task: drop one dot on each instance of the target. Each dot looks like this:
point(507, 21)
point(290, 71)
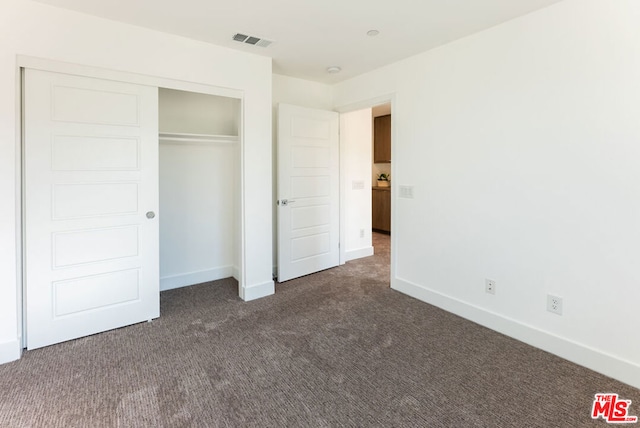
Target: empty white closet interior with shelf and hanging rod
point(199, 182)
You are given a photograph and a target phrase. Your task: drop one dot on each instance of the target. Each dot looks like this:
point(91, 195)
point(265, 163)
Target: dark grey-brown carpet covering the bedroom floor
point(338, 348)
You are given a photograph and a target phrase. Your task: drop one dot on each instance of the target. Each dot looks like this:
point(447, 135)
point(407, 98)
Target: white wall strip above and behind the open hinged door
point(299, 92)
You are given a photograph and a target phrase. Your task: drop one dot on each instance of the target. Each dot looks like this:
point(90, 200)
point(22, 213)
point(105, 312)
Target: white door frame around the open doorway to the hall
point(369, 103)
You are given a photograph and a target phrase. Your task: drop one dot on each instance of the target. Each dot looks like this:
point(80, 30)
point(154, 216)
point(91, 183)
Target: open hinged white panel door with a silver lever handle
point(308, 191)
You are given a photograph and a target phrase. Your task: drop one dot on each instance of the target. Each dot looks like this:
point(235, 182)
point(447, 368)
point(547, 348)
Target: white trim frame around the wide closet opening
point(24, 61)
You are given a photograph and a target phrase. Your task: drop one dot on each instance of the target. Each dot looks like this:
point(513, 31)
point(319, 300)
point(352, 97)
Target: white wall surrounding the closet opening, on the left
point(37, 30)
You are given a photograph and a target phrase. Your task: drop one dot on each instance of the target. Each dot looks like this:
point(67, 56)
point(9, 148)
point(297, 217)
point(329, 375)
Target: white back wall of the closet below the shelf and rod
point(197, 213)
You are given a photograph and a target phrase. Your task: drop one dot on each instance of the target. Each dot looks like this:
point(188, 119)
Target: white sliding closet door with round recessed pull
point(91, 194)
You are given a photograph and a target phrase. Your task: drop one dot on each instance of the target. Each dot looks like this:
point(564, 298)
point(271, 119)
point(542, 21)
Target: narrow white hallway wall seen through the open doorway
point(356, 154)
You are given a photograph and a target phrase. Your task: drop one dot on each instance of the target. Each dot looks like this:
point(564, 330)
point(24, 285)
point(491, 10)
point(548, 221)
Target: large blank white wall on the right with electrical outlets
point(521, 143)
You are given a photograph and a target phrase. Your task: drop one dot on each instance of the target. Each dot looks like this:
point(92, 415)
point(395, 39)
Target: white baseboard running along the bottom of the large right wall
point(596, 360)
